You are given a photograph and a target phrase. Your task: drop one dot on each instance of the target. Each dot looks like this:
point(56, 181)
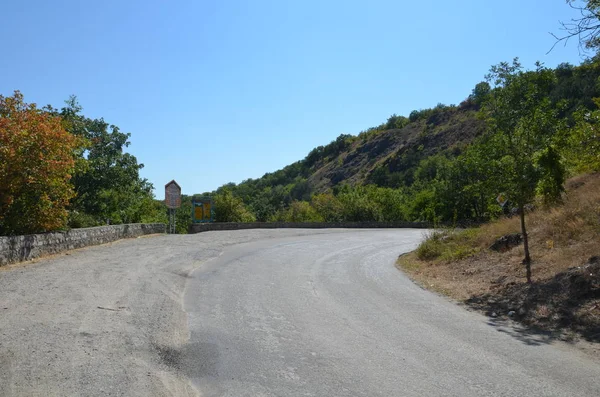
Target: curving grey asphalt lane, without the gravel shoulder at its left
point(329, 315)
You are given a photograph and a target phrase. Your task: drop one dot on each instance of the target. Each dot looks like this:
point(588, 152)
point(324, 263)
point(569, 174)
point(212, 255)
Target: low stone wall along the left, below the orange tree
point(21, 248)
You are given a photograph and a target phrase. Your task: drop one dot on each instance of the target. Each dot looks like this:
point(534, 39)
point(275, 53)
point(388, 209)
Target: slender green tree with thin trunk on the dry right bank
point(523, 126)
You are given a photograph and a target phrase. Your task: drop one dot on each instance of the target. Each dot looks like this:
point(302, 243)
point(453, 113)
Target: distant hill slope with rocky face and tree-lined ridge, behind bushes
point(385, 155)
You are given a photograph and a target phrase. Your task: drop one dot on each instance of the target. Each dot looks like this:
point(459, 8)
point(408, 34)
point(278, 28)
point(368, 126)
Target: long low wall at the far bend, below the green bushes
point(205, 227)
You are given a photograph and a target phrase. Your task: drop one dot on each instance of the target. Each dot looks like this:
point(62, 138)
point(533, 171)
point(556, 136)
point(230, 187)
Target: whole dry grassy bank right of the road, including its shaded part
point(564, 296)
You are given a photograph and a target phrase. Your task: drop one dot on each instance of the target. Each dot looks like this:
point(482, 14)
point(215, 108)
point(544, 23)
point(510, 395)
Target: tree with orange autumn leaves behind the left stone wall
point(37, 159)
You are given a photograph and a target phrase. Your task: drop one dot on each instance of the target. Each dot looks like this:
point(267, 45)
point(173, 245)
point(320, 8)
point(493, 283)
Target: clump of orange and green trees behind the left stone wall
point(60, 169)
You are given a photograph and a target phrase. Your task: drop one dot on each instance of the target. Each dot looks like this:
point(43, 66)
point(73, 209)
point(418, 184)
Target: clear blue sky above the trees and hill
point(221, 91)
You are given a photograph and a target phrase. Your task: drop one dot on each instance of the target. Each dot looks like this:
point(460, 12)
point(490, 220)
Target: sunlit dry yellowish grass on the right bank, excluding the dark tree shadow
point(459, 263)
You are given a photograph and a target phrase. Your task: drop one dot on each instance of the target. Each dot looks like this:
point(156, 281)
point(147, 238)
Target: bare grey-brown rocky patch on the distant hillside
point(388, 157)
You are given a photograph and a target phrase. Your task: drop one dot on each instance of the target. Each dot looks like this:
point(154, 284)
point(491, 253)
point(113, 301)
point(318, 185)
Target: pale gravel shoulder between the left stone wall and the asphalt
point(105, 320)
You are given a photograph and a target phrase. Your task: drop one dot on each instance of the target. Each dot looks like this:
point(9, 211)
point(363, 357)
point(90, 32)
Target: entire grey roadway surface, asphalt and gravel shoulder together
point(267, 313)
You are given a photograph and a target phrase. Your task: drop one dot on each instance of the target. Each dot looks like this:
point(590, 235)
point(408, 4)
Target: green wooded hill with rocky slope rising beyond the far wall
point(444, 164)
